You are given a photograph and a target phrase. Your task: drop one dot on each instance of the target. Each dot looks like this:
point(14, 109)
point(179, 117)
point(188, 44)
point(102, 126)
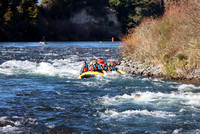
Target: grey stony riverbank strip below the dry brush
point(149, 70)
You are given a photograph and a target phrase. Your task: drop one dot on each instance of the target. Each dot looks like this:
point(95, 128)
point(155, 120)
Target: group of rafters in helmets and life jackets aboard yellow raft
point(98, 65)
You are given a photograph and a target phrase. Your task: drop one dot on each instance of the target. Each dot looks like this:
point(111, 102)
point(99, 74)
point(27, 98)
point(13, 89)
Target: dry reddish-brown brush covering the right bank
point(173, 41)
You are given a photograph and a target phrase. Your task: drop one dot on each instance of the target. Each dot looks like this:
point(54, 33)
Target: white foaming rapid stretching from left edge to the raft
point(59, 68)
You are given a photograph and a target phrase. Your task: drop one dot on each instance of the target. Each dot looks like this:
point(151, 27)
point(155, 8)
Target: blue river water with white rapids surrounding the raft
point(40, 93)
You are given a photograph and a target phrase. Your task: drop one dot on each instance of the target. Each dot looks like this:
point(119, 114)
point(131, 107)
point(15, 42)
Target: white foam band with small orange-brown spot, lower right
point(155, 99)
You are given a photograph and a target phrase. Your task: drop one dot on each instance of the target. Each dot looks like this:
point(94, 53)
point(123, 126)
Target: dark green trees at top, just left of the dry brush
point(131, 12)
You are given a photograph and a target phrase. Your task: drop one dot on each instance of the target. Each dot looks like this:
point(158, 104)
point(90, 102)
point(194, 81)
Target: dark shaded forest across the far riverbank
point(28, 20)
